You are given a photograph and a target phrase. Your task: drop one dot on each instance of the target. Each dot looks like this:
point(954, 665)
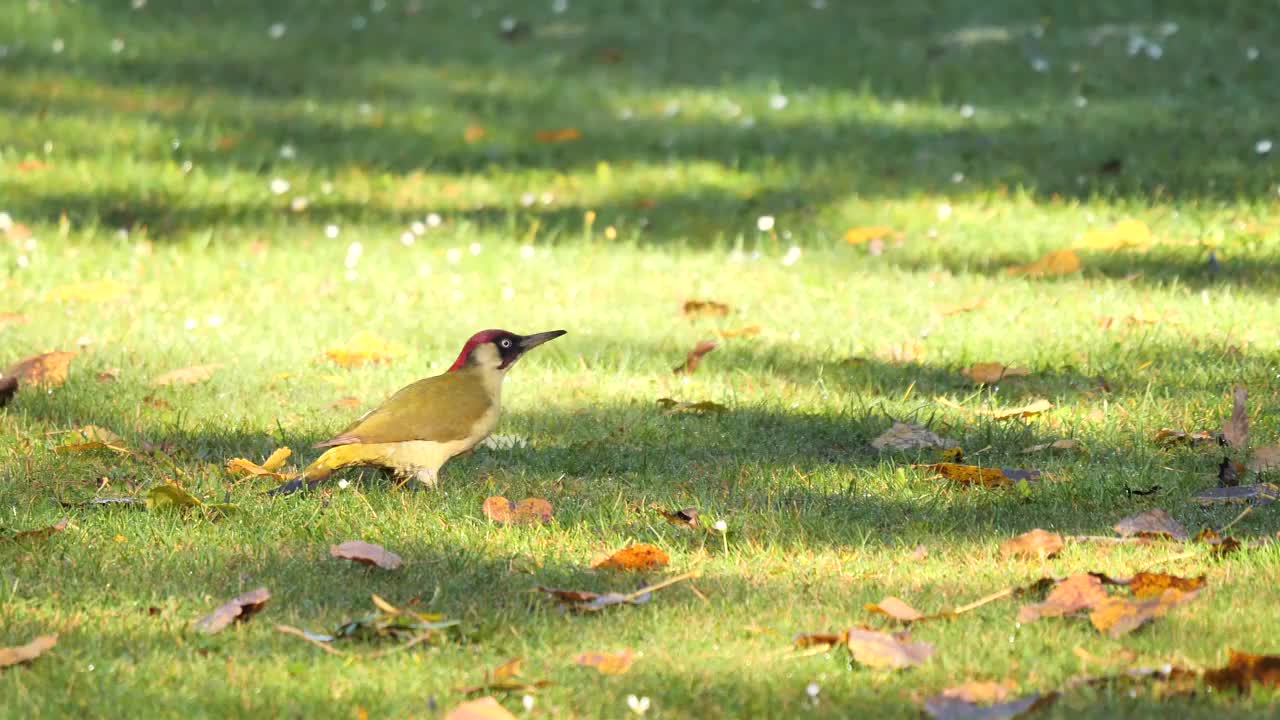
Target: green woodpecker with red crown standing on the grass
point(426, 425)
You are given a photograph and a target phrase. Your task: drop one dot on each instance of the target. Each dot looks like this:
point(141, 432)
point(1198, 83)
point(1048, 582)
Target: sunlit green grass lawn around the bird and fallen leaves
point(241, 181)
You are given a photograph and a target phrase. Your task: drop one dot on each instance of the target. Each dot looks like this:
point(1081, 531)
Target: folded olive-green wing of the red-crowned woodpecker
point(441, 409)
